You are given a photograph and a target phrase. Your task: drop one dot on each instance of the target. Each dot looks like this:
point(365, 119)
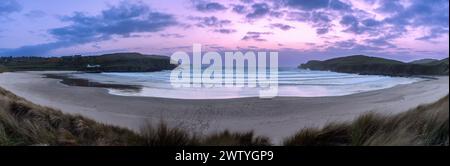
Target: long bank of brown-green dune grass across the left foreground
point(25, 123)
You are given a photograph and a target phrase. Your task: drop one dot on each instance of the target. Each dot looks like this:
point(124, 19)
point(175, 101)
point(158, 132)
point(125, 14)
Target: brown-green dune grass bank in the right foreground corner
point(423, 126)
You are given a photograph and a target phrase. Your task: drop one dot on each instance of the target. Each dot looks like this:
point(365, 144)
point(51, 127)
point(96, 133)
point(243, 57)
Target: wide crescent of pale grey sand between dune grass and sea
point(276, 118)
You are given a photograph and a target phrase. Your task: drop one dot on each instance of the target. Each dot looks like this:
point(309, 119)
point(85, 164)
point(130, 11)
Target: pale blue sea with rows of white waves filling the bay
point(291, 82)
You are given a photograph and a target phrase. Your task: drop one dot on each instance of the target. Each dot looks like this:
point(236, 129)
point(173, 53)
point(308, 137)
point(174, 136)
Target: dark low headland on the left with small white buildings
point(117, 62)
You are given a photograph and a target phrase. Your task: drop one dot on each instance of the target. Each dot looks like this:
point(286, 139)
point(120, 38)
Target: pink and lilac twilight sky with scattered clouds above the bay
point(299, 30)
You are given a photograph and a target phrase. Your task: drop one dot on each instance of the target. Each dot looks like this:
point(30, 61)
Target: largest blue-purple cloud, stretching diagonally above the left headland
point(122, 20)
